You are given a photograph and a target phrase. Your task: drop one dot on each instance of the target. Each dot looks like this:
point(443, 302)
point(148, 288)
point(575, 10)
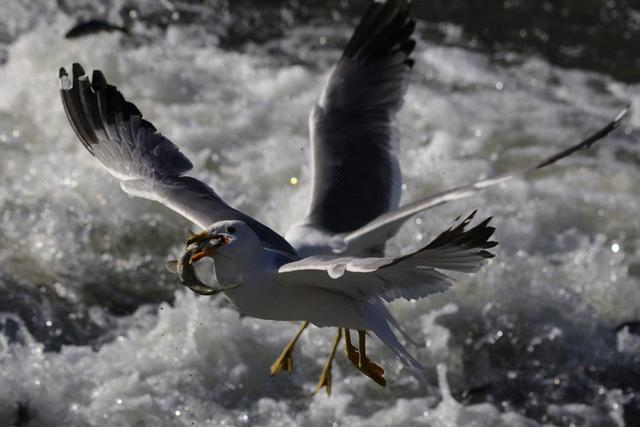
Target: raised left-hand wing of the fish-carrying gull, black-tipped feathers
point(148, 164)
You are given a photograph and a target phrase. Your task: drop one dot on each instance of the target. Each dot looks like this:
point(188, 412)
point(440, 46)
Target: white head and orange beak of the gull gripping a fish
point(225, 238)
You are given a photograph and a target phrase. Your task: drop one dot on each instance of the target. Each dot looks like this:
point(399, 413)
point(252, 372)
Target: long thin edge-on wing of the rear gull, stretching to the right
point(382, 227)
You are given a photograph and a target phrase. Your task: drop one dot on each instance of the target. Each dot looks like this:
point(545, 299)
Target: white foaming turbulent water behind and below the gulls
point(94, 331)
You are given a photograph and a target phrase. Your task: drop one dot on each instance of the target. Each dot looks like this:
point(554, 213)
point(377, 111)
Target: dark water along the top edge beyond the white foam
point(589, 34)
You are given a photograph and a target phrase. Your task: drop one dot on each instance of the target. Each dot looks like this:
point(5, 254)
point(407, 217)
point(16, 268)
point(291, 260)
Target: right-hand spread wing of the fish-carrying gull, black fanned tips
point(412, 276)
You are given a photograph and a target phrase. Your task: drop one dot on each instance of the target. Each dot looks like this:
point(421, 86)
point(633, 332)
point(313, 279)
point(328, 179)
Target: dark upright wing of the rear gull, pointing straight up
point(356, 174)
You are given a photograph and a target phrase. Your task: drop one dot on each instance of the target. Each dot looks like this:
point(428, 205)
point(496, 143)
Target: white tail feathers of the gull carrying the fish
point(378, 319)
